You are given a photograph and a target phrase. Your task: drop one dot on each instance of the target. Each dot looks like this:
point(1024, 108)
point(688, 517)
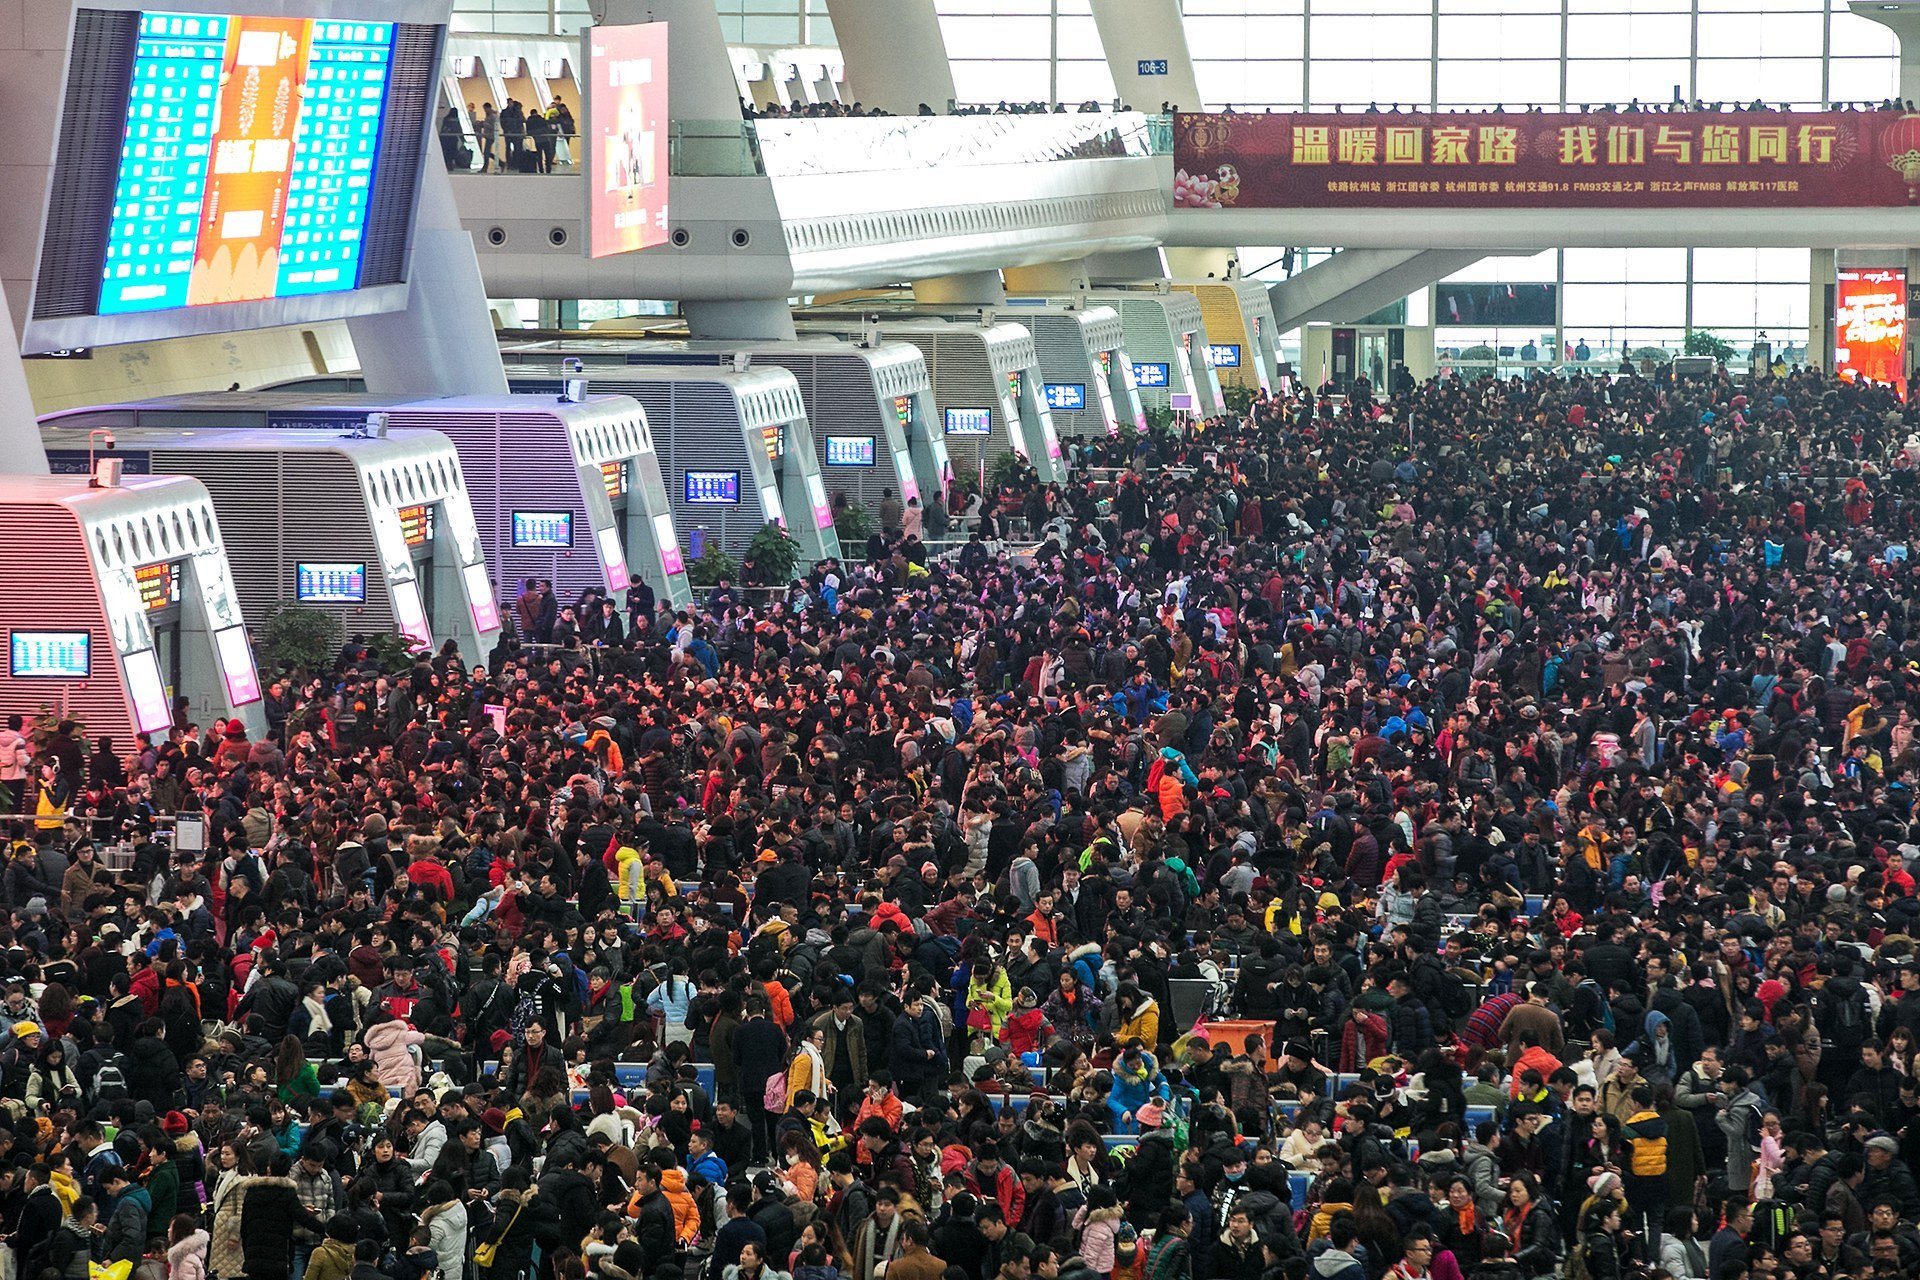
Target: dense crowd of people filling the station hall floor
point(1527, 769)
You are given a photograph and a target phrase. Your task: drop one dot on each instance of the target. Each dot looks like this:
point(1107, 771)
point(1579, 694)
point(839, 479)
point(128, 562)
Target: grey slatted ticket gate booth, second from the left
point(375, 531)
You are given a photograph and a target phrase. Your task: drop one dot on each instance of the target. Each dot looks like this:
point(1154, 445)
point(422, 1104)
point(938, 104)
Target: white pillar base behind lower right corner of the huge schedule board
point(443, 344)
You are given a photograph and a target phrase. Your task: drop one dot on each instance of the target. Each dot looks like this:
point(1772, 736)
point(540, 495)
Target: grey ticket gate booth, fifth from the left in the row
point(871, 408)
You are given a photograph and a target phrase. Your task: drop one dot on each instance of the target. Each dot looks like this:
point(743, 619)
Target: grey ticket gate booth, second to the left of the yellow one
point(1086, 371)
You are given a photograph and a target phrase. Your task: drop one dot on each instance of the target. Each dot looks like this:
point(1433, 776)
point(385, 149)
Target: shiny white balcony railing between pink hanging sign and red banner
point(784, 149)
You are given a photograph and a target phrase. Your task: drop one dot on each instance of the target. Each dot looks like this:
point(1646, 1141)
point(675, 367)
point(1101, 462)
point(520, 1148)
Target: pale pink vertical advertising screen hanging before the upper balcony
point(627, 139)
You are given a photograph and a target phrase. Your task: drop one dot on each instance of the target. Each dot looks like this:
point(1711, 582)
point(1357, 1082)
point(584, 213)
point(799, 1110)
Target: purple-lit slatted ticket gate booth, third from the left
point(565, 492)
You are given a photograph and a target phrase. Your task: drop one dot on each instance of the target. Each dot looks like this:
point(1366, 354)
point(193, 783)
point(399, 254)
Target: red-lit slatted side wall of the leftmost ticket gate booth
point(51, 540)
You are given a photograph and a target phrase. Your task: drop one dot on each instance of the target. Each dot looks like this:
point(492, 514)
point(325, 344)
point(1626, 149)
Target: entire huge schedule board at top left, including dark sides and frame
point(260, 170)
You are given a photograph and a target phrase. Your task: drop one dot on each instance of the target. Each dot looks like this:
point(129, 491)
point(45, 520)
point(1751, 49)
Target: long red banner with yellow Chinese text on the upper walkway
point(1700, 160)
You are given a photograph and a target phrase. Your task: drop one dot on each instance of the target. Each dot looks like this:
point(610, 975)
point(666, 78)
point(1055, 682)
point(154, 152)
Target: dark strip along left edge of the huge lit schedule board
point(93, 124)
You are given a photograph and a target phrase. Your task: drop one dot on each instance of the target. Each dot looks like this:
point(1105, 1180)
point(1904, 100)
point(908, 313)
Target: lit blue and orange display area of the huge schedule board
point(249, 160)
